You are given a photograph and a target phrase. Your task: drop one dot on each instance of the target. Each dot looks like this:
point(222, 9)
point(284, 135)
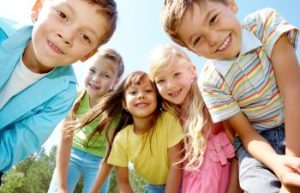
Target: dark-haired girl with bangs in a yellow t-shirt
point(145, 135)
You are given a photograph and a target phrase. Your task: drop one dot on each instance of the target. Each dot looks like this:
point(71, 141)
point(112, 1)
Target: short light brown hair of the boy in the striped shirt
point(172, 14)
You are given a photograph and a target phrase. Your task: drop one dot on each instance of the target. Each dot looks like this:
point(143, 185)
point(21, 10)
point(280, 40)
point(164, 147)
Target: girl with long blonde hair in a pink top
point(208, 151)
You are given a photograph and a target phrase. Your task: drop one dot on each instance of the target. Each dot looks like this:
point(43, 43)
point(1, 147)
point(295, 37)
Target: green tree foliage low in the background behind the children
point(34, 174)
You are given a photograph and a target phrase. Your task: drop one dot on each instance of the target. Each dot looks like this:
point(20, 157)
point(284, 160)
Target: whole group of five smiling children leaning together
point(234, 129)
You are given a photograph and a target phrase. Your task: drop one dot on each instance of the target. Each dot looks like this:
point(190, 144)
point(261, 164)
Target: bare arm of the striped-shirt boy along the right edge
point(287, 73)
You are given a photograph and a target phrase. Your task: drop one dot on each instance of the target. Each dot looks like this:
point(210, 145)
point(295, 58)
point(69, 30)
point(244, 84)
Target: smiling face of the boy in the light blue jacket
point(65, 32)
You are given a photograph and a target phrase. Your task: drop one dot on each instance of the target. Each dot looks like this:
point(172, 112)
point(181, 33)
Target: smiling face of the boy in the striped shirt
point(212, 30)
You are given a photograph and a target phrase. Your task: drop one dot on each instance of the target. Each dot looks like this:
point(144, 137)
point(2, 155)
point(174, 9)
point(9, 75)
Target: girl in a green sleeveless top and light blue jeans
point(80, 155)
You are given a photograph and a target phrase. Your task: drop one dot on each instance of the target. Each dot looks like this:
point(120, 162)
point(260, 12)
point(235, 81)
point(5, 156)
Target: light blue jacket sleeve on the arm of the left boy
point(25, 137)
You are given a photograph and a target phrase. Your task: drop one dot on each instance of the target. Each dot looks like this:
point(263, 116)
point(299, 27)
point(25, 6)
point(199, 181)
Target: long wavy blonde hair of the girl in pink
point(197, 116)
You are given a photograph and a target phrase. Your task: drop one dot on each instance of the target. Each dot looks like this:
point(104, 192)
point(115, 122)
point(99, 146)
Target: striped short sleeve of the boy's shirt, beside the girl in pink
point(217, 96)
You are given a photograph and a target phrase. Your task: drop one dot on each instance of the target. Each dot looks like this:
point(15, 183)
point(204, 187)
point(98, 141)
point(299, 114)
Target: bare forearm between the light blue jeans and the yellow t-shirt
point(103, 173)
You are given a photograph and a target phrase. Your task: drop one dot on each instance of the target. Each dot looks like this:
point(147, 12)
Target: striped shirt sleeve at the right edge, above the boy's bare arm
point(268, 26)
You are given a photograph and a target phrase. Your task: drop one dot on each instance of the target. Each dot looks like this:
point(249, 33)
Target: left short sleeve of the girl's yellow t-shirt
point(118, 155)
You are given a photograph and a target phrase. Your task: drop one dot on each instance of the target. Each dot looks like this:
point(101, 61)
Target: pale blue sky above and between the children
point(139, 30)
